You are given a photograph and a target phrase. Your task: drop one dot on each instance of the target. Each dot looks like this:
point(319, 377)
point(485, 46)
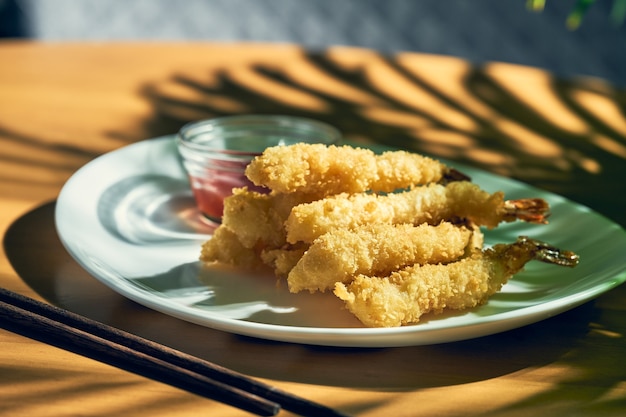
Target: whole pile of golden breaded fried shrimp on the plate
point(395, 235)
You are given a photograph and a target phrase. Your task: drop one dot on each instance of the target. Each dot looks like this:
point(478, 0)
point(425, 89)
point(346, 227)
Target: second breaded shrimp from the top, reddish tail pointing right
point(430, 204)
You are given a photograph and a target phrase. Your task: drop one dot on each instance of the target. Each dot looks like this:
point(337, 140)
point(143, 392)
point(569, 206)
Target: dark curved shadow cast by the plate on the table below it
point(580, 341)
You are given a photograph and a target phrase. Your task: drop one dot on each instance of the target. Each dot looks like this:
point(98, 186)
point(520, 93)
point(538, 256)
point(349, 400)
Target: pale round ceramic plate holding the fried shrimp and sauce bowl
point(129, 219)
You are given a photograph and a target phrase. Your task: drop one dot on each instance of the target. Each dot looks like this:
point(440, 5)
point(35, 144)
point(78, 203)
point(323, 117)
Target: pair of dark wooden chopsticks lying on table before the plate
point(78, 334)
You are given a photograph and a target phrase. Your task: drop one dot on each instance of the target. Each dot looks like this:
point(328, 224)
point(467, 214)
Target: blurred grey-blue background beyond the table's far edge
point(478, 30)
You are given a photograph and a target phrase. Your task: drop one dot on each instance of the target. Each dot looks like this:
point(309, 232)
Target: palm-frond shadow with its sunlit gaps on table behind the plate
point(570, 139)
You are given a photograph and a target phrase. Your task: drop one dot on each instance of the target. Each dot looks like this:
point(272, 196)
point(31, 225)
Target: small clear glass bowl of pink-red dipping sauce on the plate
point(215, 152)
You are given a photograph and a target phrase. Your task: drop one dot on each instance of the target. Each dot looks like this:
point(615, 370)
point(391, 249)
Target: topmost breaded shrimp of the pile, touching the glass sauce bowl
point(327, 170)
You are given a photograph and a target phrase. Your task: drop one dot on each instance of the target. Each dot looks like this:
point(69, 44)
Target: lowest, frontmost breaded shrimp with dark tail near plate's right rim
point(405, 295)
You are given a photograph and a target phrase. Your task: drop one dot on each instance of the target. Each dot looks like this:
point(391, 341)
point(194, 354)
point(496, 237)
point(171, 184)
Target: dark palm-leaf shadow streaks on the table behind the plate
point(566, 174)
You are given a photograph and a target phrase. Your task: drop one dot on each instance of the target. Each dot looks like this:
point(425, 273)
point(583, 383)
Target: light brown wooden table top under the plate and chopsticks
point(62, 105)
